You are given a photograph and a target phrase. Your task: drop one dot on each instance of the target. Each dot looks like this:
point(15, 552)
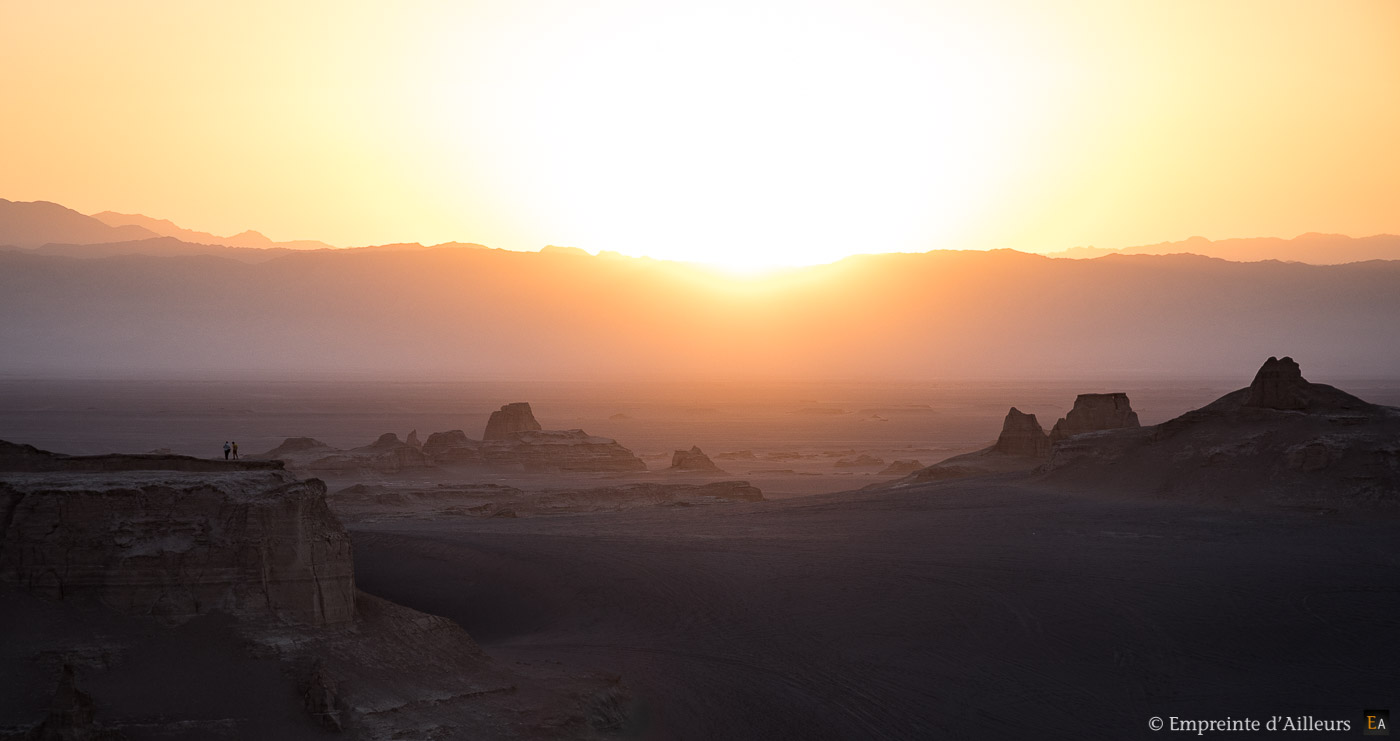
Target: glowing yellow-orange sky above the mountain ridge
point(743, 132)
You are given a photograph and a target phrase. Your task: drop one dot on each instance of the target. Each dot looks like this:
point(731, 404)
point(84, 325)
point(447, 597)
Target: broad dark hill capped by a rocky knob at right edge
point(1282, 439)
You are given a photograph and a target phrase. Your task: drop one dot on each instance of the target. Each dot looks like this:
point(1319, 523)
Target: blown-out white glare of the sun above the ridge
point(758, 138)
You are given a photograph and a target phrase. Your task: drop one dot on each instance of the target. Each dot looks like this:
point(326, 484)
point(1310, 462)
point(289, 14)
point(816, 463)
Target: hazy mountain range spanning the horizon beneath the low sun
point(163, 306)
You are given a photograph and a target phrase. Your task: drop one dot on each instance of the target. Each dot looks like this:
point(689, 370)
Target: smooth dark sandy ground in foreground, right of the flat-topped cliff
point(964, 611)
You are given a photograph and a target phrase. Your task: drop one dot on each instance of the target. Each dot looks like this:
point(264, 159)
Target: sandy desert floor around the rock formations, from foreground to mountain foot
point(968, 610)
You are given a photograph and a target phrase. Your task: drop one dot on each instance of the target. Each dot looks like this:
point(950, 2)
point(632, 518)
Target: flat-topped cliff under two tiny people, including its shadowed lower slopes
point(250, 579)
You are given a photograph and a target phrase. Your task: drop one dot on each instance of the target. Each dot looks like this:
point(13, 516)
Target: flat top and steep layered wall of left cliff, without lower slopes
point(159, 537)
